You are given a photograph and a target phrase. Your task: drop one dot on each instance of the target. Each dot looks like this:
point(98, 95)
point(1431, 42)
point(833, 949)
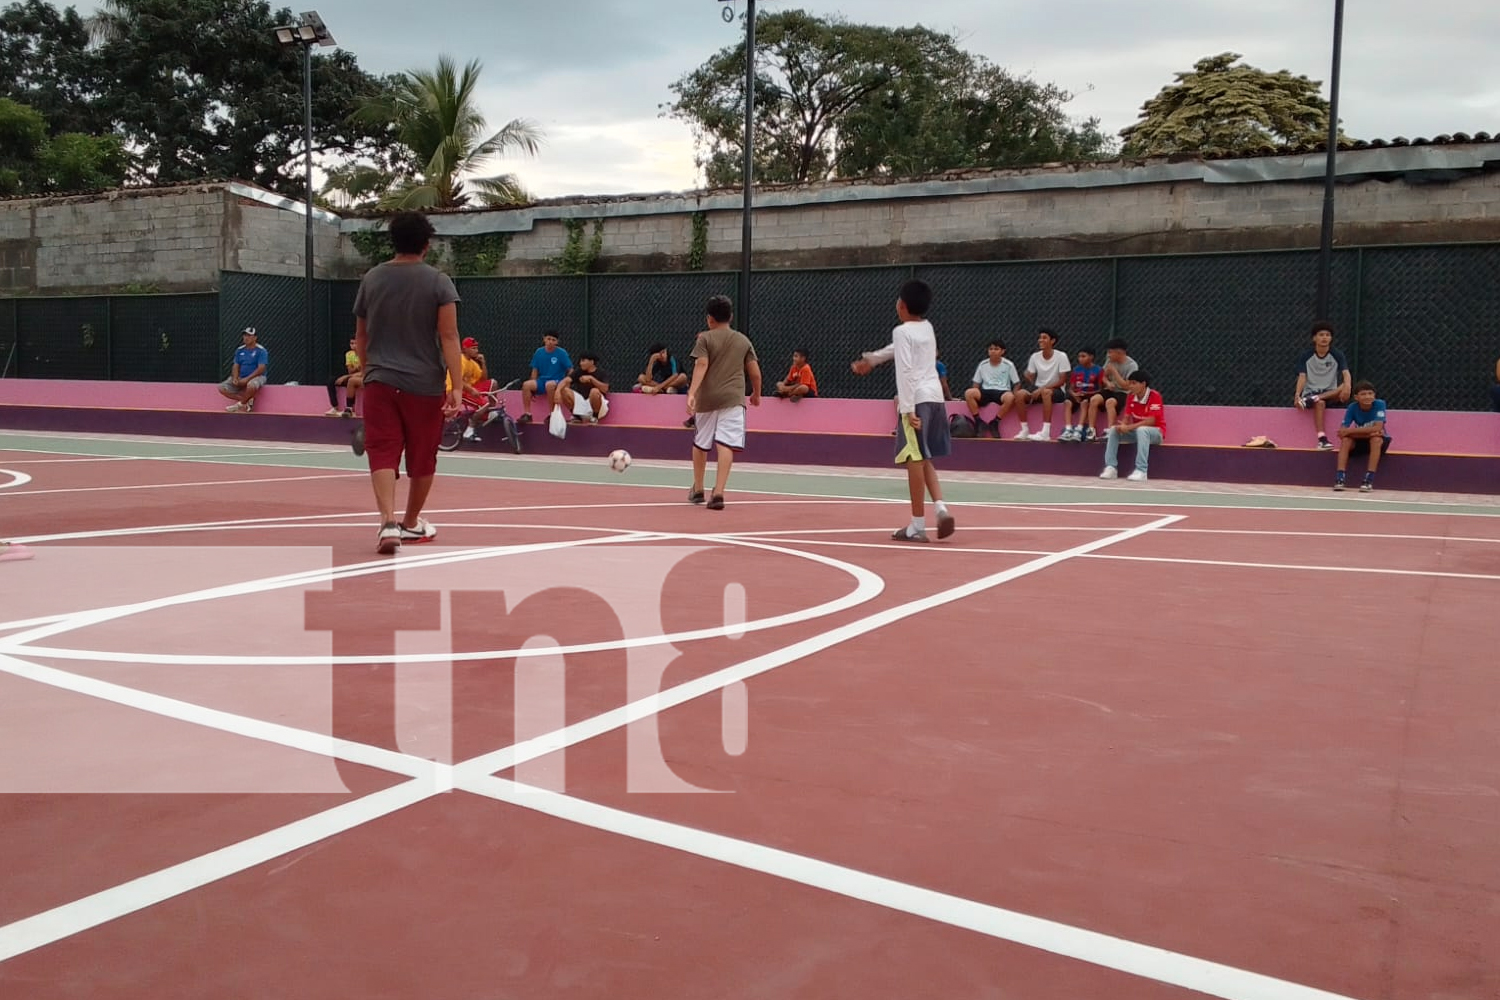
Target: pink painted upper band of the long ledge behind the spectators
point(1414, 431)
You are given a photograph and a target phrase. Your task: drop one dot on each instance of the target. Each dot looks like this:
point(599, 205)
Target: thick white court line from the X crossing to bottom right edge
point(1105, 951)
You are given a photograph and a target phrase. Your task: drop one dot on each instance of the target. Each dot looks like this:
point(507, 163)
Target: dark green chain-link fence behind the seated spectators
point(1420, 322)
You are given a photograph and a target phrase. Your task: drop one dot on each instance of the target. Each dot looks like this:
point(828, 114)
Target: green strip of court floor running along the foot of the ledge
point(880, 485)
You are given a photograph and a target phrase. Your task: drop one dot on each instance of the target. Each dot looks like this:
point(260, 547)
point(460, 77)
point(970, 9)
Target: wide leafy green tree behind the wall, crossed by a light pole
point(841, 100)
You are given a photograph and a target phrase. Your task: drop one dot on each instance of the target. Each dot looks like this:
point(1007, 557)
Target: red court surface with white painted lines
point(1073, 752)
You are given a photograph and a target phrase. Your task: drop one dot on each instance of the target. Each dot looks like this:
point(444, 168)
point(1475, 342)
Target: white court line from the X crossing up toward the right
point(643, 708)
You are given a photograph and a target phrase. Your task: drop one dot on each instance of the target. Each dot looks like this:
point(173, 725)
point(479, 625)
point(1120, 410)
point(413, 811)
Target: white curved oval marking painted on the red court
point(868, 587)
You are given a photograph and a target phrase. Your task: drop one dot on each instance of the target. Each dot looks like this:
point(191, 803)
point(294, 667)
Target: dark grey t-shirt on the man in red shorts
point(400, 305)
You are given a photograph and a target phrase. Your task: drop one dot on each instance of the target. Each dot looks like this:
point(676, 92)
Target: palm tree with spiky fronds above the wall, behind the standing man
point(439, 121)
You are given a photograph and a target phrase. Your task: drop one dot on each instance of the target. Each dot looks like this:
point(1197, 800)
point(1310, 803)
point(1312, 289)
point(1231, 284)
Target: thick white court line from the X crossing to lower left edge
point(139, 894)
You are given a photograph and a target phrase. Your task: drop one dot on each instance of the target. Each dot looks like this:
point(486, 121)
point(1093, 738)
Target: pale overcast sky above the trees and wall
point(595, 73)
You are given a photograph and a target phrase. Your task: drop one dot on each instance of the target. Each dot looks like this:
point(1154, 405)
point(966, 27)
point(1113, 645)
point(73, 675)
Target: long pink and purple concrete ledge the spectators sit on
point(1432, 451)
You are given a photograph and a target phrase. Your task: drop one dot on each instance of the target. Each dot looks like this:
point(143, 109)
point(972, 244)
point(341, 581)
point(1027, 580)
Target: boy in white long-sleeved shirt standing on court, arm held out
point(923, 422)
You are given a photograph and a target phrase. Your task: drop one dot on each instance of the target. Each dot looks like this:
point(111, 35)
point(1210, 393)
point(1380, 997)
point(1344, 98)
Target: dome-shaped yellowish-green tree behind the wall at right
point(1222, 107)
